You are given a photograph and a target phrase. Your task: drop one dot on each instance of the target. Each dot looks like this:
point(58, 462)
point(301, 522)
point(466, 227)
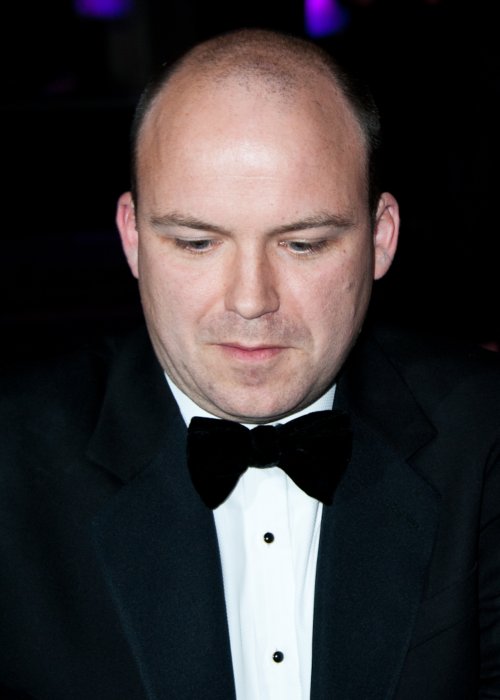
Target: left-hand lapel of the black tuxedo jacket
point(157, 541)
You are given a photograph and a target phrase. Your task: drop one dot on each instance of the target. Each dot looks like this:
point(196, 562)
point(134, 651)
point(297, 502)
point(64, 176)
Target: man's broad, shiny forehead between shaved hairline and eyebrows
point(203, 124)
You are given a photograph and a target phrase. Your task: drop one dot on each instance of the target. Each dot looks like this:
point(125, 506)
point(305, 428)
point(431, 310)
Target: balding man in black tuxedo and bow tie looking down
point(255, 230)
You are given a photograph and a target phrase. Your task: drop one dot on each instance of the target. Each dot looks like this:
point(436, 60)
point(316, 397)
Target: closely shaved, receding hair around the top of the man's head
point(274, 63)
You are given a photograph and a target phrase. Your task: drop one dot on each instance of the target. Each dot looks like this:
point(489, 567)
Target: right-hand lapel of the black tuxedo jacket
point(376, 539)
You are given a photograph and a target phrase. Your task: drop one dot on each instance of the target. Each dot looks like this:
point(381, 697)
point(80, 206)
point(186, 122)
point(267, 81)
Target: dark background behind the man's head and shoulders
point(69, 84)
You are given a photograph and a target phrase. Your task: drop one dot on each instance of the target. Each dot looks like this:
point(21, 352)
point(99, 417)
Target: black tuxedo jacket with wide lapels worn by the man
point(110, 578)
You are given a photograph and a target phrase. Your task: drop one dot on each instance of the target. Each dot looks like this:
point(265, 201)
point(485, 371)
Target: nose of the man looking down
point(252, 286)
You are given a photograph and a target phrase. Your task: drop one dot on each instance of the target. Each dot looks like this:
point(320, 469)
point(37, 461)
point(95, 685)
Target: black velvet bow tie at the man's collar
point(313, 450)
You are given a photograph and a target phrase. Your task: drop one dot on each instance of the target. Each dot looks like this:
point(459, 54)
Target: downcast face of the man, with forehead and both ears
point(252, 243)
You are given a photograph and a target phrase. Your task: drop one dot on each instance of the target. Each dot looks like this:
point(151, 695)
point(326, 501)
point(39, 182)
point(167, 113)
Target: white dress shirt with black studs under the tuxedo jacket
point(268, 532)
